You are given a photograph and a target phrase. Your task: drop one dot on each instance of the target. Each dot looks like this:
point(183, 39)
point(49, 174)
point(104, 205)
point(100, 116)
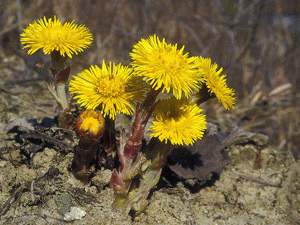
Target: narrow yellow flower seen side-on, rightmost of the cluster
point(216, 82)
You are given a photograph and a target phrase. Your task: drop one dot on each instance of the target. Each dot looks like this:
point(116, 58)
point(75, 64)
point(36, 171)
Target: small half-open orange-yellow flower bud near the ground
point(90, 123)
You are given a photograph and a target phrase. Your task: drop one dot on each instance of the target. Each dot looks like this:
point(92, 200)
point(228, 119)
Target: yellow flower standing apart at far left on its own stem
point(51, 35)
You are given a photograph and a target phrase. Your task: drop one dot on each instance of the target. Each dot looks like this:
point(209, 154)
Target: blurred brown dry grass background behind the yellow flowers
point(257, 43)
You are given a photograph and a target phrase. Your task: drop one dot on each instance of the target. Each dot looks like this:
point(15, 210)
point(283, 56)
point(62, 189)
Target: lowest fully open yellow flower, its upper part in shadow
point(180, 122)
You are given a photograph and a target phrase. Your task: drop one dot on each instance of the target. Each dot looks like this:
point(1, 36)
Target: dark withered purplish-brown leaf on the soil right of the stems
point(207, 158)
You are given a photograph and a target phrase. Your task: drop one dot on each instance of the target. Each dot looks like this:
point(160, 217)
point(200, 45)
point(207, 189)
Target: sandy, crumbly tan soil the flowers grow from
point(259, 186)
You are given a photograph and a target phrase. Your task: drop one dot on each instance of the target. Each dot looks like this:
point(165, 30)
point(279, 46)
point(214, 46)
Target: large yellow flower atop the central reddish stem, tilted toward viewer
point(165, 67)
